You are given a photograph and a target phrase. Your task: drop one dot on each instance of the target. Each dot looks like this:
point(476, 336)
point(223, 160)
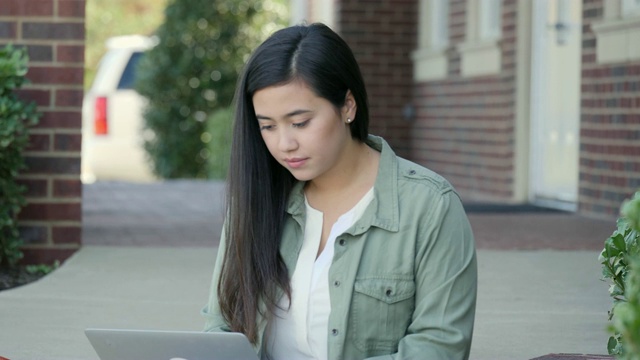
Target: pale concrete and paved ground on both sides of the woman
point(149, 252)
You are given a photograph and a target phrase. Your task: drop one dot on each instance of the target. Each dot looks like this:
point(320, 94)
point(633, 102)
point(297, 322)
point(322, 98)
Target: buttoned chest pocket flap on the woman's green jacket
point(387, 290)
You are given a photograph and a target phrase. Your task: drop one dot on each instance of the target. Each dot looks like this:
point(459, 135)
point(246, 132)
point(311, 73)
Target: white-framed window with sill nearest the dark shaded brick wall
point(429, 60)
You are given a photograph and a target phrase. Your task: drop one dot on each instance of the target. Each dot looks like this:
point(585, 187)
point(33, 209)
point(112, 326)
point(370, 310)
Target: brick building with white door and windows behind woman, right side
point(513, 101)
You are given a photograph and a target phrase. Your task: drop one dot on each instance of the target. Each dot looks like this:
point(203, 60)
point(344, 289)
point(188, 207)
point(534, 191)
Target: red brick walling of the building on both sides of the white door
point(464, 127)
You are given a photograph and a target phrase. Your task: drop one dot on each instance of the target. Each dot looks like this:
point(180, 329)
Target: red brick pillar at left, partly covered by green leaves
point(53, 32)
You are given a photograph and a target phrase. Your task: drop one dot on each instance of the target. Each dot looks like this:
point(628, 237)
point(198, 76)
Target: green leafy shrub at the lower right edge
point(621, 264)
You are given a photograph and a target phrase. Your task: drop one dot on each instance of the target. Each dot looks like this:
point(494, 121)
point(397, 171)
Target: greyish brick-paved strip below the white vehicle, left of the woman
point(177, 213)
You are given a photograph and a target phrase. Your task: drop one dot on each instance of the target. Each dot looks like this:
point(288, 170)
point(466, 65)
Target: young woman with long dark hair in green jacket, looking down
point(334, 247)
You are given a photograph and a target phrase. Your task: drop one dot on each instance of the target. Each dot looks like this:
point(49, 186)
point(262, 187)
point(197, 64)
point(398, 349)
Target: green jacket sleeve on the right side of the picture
point(446, 284)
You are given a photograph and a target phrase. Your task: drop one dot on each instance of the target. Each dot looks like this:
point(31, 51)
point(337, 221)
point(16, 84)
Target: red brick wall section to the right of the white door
point(610, 126)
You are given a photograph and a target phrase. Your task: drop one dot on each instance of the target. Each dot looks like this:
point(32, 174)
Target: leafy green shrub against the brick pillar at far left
point(16, 117)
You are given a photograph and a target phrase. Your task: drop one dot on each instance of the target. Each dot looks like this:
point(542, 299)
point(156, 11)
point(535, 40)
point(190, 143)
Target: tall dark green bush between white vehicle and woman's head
point(192, 73)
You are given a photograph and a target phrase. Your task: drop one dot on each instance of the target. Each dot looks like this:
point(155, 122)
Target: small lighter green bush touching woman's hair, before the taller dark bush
point(218, 138)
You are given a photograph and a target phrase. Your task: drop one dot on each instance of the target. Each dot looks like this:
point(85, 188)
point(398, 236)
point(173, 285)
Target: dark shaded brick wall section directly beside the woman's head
point(382, 35)
